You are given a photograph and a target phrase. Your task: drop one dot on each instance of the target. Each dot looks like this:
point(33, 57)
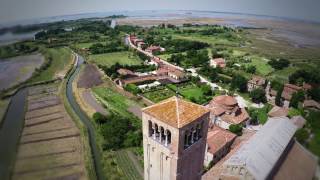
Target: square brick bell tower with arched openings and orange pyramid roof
point(174, 140)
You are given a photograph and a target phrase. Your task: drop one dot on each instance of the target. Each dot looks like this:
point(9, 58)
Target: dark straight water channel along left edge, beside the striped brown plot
point(10, 132)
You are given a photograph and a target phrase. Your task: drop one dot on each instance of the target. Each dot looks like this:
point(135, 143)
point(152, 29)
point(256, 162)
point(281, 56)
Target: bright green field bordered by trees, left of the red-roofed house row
point(109, 59)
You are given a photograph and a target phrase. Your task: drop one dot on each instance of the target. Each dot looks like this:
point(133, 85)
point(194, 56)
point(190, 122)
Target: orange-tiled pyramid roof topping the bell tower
point(176, 112)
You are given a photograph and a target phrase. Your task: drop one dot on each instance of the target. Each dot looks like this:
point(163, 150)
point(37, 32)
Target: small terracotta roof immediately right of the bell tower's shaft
point(217, 138)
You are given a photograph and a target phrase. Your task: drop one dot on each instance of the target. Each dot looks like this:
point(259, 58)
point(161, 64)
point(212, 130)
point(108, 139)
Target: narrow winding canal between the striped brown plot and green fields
point(86, 121)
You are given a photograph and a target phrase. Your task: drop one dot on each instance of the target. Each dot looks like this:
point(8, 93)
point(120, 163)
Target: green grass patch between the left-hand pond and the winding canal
point(61, 59)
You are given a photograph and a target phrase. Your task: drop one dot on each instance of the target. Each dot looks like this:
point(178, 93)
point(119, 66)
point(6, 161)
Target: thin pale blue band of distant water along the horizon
point(28, 21)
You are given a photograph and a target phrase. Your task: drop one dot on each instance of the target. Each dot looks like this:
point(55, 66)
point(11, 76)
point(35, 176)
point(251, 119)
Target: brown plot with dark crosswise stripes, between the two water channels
point(50, 144)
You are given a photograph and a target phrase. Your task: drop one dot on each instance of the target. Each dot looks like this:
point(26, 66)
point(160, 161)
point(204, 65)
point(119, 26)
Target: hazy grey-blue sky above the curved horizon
point(12, 10)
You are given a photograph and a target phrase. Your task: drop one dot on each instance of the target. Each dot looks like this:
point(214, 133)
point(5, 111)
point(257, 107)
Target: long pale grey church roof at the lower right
point(261, 153)
